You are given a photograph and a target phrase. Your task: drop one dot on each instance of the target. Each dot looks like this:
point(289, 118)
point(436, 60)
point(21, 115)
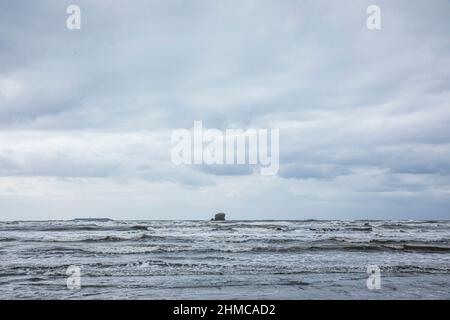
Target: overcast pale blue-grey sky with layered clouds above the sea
point(86, 115)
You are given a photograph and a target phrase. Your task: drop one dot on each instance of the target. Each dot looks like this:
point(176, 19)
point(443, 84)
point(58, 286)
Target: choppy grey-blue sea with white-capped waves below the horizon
point(225, 260)
